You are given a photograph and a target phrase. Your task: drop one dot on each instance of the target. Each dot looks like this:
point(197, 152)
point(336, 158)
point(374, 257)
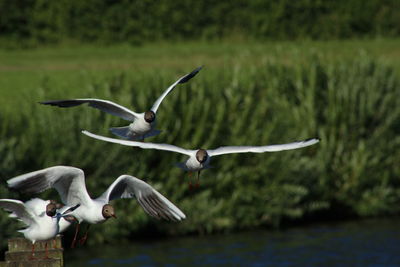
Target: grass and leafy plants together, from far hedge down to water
point(345, 92)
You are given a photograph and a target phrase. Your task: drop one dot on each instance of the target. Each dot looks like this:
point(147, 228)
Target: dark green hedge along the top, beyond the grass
point(31, 22)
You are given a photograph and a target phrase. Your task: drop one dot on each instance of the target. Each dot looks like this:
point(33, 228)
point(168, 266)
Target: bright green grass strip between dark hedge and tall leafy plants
point(77, 67)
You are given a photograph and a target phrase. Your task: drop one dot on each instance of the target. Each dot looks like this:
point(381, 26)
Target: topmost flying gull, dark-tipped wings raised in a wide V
point(143, 124)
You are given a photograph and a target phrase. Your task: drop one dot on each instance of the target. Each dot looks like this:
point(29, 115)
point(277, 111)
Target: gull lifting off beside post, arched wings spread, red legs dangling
point(70, 184)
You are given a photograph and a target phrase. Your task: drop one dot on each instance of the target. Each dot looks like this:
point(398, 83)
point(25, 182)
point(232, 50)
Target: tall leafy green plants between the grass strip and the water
point(353, 106)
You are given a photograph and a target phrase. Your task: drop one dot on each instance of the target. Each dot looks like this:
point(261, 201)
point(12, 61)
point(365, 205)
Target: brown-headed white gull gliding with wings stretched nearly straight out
point(199, 159)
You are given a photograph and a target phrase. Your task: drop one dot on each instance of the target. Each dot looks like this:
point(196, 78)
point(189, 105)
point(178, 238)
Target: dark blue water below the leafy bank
point(367, 243)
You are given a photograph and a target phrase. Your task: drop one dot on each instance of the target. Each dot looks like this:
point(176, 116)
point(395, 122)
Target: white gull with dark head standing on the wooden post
point(40, 216)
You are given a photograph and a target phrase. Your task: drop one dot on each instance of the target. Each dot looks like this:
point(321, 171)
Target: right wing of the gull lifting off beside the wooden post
point(153, 203)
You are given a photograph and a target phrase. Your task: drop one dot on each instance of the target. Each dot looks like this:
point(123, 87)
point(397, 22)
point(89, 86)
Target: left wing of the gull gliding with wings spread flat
point(165, 147)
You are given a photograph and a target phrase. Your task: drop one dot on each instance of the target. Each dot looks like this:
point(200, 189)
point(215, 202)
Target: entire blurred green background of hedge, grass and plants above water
point(274, 72)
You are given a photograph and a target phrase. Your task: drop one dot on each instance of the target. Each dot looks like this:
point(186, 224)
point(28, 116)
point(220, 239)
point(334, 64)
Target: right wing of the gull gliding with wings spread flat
point(261, 149)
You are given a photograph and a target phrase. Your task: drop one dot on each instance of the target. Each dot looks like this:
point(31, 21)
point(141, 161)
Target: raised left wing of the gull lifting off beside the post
point(68, 181)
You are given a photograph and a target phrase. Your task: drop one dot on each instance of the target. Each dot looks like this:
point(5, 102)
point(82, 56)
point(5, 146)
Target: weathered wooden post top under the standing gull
point(19, 253)
